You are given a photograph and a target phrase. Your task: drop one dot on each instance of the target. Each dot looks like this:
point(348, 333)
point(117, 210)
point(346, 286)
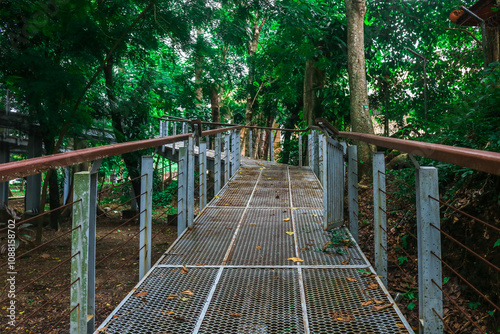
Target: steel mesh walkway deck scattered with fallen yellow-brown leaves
point(231, 272)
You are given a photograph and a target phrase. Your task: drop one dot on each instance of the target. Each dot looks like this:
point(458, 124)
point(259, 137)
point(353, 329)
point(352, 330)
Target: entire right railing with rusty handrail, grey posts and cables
point(430, 257)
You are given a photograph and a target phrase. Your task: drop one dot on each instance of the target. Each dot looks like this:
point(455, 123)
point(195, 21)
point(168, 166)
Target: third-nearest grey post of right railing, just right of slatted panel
point(352, 190)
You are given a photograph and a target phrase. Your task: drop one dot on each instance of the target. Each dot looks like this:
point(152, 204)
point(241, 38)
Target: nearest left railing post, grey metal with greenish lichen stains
point(79, 246)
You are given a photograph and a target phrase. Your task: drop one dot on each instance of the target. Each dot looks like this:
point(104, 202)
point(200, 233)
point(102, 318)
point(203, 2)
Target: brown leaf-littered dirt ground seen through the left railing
point(45, 303)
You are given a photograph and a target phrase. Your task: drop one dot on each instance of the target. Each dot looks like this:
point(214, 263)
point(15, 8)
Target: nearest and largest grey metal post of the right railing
point(429, 241)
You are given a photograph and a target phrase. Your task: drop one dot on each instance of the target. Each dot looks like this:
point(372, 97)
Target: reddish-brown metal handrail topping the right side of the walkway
point(484, 161)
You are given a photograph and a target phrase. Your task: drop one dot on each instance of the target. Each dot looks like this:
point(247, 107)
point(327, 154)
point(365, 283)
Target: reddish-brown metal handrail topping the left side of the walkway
point(17, 169)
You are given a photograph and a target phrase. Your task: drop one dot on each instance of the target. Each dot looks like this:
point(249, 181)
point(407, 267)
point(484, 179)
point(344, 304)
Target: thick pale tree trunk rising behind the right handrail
point(360, 114)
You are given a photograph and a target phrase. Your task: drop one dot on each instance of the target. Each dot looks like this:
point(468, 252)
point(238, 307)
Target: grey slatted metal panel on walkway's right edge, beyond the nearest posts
point(333, 183)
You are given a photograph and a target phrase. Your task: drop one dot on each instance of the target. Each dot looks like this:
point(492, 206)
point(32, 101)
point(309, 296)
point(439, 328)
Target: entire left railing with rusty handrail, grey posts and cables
point(87, 241)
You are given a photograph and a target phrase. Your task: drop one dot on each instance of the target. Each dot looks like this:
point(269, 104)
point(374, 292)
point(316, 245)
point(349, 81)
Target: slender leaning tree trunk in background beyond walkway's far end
point(251, 90)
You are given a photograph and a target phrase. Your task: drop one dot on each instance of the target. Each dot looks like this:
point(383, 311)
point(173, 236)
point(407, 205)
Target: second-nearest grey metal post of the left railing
point(145, 219)
